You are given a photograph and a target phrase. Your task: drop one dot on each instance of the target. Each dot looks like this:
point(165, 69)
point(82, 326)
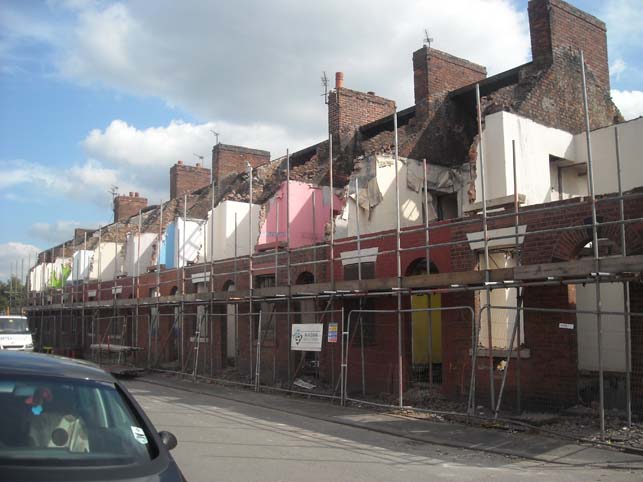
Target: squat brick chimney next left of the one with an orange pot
point(228, 161)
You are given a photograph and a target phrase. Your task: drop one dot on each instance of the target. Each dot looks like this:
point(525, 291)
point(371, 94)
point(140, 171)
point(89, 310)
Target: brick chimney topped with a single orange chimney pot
point(349, 109)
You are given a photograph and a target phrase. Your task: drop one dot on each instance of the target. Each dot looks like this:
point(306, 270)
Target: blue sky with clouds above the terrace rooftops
point(96, 95)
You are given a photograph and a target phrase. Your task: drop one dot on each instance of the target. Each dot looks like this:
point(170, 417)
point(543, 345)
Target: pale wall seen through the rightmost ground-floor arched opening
point(613, 328)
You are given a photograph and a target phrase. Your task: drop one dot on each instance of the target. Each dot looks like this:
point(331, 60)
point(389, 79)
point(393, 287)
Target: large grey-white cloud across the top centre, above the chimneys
point(216, 61)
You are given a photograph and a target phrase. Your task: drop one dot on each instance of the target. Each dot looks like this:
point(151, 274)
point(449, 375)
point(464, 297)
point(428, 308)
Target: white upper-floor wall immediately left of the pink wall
point(222, 224)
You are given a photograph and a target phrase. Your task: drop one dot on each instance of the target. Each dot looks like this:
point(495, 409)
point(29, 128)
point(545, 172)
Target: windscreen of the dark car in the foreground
point(56, 422)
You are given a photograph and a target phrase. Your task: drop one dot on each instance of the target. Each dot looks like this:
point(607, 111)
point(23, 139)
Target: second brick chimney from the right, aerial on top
point(436, 73)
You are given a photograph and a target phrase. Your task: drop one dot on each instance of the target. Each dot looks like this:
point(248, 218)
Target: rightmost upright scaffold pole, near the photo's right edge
point(626, 289)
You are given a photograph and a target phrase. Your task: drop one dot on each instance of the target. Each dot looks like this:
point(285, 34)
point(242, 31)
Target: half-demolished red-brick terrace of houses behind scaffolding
point(451, 281)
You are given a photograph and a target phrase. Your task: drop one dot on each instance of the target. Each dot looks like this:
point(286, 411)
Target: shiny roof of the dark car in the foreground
point(26, 363)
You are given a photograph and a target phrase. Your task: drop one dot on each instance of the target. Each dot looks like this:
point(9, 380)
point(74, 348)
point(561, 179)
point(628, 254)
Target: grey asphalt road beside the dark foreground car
point(222, 439)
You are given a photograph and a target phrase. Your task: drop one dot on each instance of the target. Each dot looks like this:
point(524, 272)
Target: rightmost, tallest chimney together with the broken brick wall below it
point(549, 89)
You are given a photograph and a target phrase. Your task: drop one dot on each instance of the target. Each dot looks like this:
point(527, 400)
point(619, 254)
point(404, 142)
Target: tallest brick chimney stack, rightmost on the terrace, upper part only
point(557, 26)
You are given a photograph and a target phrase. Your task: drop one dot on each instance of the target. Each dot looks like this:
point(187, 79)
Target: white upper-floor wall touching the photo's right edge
point(604, 155)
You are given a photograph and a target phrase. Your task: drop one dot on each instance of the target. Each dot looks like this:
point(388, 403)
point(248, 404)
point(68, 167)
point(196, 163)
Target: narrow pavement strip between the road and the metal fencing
point(501, 442)
